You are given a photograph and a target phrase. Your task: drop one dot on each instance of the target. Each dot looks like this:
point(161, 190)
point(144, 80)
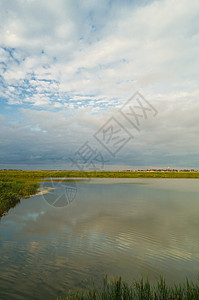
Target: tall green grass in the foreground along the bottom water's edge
point(139, 290)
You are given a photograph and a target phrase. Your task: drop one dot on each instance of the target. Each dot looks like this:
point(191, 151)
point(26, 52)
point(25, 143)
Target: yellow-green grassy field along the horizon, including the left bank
point(17, 184)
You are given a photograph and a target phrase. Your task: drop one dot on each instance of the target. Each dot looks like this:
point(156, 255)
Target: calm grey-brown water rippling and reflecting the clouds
point(127, 227)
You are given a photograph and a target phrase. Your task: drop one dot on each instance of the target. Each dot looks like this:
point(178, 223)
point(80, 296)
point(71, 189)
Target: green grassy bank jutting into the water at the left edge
point(11, 191)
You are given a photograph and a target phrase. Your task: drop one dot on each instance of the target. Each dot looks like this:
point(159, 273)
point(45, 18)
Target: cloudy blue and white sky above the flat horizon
point(101, 85)
